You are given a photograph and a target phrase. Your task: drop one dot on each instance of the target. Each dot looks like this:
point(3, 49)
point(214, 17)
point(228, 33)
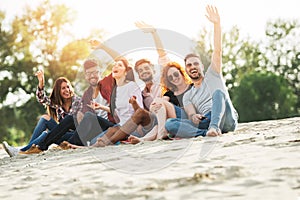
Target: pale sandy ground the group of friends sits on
point(261, 160)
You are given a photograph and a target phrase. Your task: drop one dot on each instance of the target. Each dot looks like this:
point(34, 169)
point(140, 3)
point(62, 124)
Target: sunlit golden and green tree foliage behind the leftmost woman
point(37, 39)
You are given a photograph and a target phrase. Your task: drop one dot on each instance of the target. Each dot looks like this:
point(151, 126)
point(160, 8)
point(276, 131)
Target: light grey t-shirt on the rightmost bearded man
point(201, 97)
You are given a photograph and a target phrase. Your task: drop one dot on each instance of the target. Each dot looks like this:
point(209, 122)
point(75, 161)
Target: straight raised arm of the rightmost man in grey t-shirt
point(213, 16)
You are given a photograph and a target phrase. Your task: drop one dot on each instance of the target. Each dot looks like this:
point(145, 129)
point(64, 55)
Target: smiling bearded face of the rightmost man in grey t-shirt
point(194, 68)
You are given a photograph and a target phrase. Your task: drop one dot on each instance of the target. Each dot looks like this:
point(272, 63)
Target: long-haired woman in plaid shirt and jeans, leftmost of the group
point(61, 102)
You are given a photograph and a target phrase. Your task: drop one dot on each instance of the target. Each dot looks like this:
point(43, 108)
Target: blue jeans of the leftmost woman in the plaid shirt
point(40, 132)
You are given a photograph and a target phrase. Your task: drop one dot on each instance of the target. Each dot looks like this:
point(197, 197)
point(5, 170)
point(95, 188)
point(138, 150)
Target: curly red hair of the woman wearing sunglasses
point(166, 84)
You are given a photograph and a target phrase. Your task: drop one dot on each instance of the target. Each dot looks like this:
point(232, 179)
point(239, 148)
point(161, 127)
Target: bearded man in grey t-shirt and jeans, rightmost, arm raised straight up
point(208, 96)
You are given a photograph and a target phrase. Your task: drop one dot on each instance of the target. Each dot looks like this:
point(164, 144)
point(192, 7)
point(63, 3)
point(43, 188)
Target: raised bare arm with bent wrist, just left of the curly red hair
point(146, 28)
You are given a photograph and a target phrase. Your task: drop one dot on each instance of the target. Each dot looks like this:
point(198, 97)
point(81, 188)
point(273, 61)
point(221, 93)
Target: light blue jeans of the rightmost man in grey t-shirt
point(222, 117)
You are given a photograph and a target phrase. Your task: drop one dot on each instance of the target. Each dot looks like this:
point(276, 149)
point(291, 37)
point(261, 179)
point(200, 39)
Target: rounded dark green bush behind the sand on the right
point(264, 95)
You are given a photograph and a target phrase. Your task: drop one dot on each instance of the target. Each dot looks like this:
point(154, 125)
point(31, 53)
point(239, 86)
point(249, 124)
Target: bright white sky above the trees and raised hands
point(186, 17)
